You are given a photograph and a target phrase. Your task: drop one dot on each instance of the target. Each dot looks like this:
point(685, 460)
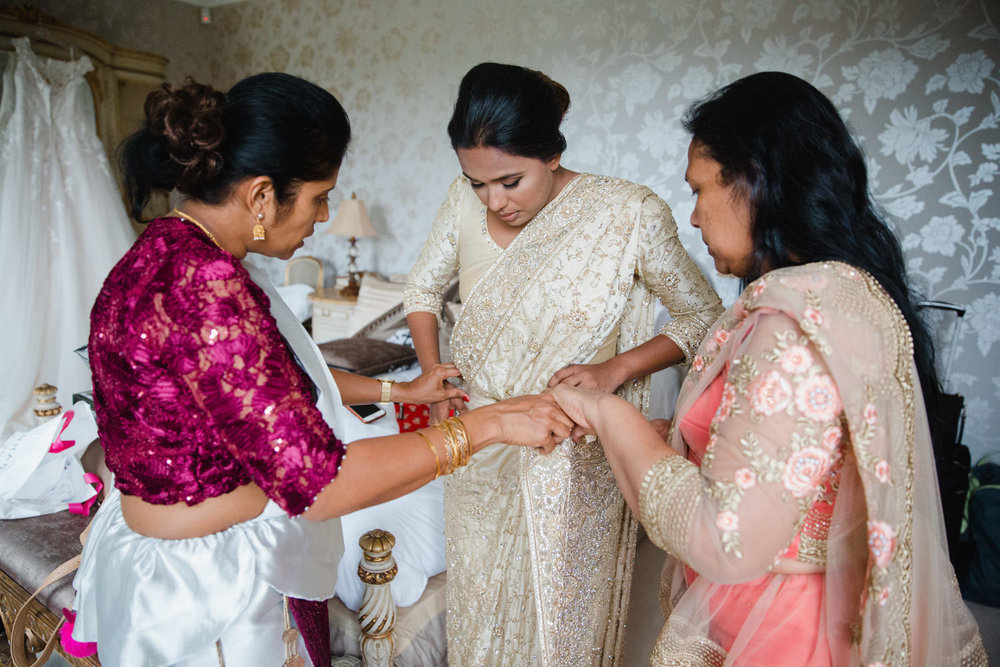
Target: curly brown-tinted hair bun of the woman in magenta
point(190, 119)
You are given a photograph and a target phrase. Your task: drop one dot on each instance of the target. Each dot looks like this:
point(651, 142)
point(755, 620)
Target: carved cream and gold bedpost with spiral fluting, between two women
point(377, 614)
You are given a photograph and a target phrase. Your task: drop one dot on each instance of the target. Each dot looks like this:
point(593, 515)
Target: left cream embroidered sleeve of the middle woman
point(437, 264)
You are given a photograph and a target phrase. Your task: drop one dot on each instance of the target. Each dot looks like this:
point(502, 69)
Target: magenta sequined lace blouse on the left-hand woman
point(195, 390)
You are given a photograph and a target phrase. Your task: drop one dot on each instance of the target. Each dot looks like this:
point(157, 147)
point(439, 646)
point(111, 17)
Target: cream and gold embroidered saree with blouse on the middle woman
point(540, 548)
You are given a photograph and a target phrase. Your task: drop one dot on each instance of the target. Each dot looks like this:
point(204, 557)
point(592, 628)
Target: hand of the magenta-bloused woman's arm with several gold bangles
point(534, 420)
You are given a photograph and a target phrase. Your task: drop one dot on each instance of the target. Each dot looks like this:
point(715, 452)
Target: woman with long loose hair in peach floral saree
point(796, 495)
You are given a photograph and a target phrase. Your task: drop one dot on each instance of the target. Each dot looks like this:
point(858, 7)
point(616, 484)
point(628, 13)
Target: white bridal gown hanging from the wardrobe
point(62, 228)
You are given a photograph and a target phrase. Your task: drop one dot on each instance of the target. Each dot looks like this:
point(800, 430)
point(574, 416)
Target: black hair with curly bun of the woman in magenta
point(203, 142)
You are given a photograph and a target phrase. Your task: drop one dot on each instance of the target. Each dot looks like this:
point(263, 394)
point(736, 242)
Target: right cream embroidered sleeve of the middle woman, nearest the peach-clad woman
point(670, 273)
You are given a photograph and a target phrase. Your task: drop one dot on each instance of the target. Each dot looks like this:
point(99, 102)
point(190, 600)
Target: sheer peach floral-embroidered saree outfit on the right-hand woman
point(820, 380)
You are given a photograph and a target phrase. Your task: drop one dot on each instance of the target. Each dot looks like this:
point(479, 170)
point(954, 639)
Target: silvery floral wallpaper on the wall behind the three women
point(918, 80)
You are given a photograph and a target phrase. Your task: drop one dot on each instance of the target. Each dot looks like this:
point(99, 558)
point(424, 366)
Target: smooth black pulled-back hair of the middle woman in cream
point(515, 109)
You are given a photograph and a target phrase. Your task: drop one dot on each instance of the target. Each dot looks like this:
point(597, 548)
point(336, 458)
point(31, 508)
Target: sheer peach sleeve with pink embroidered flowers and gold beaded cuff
point(774, 440)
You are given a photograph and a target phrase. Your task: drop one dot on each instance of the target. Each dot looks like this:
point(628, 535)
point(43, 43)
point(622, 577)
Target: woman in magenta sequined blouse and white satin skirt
point(225, 466)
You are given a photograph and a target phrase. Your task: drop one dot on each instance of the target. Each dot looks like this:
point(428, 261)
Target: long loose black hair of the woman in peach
point(785, 147)
